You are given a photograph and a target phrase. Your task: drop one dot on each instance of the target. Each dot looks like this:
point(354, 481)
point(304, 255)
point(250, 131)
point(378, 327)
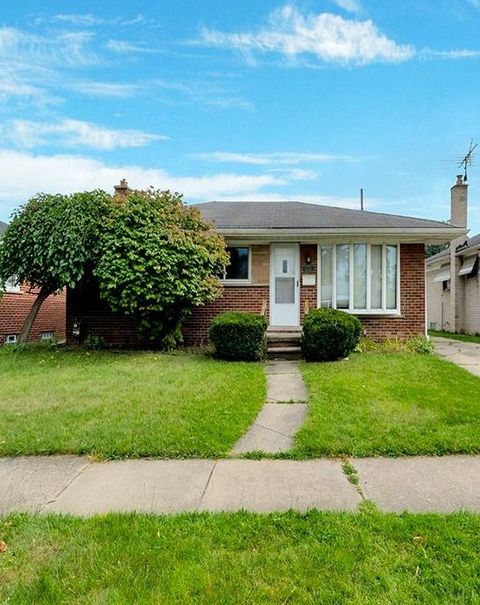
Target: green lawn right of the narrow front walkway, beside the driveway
point(390, 404)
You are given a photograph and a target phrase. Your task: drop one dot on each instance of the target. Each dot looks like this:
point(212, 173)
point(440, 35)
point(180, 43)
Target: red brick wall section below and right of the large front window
point(412, 299)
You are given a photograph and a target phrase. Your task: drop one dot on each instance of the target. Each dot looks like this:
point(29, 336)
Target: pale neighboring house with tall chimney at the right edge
point(453, 284)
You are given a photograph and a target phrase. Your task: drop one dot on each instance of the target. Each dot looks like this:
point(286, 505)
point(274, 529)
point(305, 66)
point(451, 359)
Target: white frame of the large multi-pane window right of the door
point(351, 309)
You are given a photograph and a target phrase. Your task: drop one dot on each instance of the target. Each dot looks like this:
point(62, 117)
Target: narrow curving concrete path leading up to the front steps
point(283, 414)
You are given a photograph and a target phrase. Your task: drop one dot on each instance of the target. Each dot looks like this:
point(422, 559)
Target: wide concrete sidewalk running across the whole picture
point(70, 484)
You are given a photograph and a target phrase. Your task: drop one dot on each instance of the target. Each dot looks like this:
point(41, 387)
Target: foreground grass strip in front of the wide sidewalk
point(367, 558)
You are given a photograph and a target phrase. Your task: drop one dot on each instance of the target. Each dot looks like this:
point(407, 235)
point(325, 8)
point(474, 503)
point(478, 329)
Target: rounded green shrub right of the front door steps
point(329, 334)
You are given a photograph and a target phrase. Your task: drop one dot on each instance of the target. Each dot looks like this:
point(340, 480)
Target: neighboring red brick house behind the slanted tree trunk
point(15, 303)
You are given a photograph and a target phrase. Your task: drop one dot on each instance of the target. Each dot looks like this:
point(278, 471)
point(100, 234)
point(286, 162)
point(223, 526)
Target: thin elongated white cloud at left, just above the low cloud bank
point(73, 133)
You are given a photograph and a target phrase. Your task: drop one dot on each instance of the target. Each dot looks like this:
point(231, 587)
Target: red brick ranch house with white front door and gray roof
point(289, 257)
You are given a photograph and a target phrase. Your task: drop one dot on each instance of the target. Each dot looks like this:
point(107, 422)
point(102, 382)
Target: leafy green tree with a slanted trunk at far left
point(51, 242)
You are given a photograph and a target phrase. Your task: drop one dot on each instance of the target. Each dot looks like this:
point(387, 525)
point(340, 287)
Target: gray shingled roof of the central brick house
point(300, 215)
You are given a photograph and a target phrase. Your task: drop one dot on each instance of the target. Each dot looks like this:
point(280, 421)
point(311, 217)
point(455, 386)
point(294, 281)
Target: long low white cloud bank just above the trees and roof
point(24, 174)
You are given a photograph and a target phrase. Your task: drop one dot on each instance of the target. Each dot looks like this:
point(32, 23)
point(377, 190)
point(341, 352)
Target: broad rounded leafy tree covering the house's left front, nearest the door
point(159, 260)
